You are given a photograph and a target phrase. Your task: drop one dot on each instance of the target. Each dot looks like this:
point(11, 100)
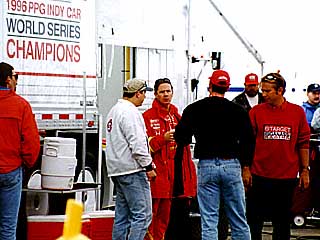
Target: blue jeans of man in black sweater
point(221, 179)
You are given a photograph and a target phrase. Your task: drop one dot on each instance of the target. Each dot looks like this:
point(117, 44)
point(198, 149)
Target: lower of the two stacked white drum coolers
point(58, 172)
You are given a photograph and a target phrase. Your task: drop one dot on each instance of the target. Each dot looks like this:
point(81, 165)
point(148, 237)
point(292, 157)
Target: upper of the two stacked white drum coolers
point(58, 146)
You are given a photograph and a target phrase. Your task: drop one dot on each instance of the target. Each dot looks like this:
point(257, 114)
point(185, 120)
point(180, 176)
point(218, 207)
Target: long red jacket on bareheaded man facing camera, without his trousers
point(158, 122)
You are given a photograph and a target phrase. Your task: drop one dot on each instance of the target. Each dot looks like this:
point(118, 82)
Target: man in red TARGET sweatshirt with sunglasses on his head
point(281, 152)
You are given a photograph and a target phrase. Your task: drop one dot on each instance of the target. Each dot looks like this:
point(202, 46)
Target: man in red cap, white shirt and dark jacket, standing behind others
point(251, 95)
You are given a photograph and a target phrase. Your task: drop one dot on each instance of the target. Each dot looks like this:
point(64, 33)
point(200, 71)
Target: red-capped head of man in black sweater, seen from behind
point(219, 81)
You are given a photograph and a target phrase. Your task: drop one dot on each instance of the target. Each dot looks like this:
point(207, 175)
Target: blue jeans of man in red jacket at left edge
point(10, 195)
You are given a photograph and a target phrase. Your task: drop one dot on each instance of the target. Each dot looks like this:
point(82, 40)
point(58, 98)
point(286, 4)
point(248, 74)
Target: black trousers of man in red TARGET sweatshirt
point(270, 200)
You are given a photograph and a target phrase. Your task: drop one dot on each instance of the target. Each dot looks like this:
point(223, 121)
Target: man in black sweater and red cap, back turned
point(223, 147)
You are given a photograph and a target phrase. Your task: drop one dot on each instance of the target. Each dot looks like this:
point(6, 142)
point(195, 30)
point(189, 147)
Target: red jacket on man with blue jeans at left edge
point(19, 138)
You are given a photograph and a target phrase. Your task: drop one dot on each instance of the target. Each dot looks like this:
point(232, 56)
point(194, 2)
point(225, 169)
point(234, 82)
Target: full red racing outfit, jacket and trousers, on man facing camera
point(159, 121)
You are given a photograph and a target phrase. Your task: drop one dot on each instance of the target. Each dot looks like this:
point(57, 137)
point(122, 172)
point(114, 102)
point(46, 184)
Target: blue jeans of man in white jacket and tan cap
point(133, 213)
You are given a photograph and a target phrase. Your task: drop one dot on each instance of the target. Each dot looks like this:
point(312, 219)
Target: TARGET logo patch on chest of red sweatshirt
point(277, 132)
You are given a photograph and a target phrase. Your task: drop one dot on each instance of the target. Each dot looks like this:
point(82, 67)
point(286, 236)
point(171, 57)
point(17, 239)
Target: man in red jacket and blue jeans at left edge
point(19, 145)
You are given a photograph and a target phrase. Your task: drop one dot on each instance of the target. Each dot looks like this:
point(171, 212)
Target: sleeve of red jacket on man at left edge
point(30, 142)
